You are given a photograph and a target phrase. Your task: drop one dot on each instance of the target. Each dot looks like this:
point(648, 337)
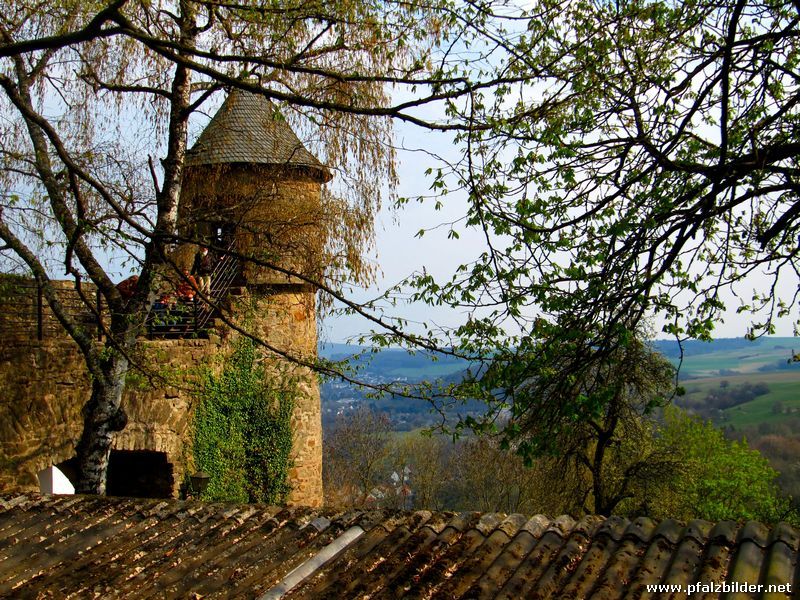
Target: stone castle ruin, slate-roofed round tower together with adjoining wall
point(250, 186)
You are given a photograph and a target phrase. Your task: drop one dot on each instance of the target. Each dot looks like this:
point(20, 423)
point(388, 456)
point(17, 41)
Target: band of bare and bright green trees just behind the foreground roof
point(682, 468)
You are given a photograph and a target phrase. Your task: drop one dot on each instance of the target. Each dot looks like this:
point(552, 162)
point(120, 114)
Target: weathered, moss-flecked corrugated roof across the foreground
point(83, 547)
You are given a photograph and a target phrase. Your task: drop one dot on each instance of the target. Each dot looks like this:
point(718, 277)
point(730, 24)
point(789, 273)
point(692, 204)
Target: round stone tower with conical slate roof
point(250, 186)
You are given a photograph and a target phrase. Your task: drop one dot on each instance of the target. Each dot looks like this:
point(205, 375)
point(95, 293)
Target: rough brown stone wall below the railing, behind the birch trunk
point(44, 384)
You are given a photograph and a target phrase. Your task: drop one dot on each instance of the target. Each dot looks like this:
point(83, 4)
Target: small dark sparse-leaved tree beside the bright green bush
point(608, 446)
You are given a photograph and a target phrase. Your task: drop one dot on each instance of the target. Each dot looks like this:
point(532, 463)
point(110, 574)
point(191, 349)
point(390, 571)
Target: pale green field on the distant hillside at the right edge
point(784, 387)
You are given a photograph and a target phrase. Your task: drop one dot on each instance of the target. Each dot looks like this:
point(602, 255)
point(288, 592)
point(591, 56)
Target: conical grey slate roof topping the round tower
point(248, 129)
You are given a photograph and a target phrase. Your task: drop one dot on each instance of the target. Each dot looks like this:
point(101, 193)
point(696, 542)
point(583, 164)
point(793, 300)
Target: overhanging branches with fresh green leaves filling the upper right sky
point(639, 163)
